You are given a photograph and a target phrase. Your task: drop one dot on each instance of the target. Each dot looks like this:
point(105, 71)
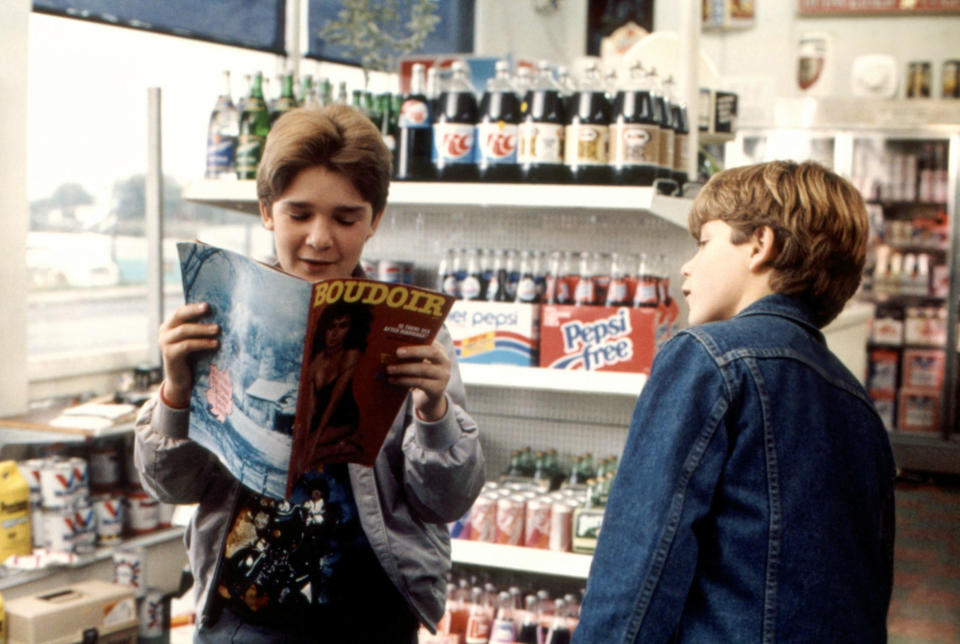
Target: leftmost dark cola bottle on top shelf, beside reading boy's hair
point(414, 129)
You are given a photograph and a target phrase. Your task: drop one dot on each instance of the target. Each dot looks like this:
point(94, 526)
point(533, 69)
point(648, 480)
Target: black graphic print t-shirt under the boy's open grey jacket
point(282, 557)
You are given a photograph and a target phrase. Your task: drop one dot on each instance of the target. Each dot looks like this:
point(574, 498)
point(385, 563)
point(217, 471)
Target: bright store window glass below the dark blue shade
point(87, 158)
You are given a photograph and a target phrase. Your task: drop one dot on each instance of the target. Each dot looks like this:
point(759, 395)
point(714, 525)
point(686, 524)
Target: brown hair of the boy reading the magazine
point(337, 137)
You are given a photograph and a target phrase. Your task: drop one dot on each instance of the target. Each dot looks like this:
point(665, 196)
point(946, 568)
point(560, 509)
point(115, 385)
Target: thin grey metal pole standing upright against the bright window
point(153, 190)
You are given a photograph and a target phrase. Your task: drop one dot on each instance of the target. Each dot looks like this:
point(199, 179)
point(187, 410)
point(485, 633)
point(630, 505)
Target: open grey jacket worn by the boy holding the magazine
point(426, 475)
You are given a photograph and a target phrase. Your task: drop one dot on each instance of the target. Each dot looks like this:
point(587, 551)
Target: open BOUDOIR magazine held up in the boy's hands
point(299, 379)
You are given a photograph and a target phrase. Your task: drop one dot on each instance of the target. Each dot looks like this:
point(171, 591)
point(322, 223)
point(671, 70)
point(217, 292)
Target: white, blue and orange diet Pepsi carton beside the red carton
point(495, 332)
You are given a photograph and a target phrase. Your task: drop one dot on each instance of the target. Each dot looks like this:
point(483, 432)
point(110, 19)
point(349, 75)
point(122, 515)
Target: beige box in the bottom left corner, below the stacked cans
point(62, 615)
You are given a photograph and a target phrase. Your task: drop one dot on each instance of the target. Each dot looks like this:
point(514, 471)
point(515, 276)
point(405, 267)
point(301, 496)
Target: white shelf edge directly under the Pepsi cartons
point(561, 380)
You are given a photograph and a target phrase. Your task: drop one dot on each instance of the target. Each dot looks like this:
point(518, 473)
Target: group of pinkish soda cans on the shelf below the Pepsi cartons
point(519, 514)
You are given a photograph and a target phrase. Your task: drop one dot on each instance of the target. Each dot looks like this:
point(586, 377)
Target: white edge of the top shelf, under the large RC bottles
point(242, 196)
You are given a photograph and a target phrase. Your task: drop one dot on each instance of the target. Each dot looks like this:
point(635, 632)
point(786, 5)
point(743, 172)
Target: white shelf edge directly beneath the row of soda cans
point(521, 559)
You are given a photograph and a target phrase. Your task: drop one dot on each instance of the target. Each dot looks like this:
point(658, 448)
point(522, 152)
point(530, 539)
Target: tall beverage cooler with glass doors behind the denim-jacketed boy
point(904, 157)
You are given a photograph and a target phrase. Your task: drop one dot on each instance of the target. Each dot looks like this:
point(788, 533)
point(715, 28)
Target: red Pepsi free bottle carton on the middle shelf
point(599, 338)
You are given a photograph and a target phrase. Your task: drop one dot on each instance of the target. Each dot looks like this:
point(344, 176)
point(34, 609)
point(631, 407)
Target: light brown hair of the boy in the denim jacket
point(818, 219)
